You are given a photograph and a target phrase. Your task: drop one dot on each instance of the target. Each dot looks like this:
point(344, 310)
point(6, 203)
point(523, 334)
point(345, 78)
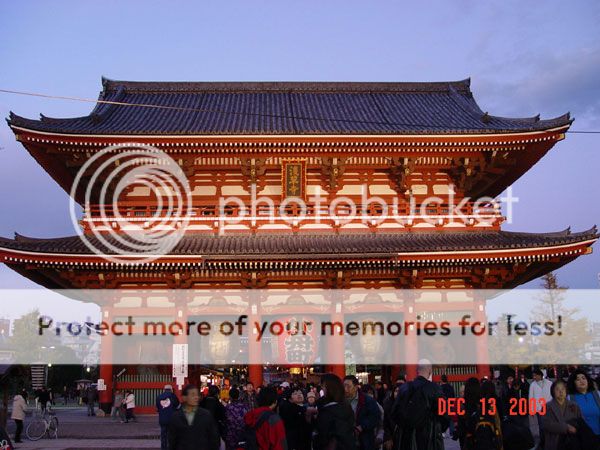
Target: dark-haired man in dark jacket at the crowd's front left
point(192, 427)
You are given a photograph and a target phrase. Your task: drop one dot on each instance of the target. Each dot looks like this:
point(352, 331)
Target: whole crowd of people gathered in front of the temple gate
point(343, 414)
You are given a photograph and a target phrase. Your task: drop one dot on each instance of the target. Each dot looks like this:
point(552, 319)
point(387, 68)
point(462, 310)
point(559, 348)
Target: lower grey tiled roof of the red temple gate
point(328, 246)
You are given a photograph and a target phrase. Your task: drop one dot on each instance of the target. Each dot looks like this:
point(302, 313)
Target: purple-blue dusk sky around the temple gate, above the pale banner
point(523, 58)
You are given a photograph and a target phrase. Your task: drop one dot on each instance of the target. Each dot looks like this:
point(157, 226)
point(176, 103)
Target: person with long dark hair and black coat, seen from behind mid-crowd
point(334, 425)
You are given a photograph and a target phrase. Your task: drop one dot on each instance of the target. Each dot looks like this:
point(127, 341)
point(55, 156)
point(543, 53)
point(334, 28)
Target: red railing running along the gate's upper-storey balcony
point(216, 217)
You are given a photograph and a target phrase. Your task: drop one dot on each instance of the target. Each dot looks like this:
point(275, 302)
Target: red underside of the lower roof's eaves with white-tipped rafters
point(476, 269)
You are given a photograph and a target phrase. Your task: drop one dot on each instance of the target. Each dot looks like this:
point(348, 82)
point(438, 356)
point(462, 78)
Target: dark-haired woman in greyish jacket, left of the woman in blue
point(559, 411)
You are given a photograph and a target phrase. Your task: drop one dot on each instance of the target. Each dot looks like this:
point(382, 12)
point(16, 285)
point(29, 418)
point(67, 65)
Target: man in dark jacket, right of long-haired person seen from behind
point(366, 412)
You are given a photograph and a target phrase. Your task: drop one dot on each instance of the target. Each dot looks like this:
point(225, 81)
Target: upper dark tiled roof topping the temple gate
point(286, 108)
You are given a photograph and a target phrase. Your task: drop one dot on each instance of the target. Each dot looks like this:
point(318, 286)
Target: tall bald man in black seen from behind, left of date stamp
point(416, 412)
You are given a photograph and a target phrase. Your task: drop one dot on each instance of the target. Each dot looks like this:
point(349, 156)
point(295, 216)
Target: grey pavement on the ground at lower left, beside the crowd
point(78, 431)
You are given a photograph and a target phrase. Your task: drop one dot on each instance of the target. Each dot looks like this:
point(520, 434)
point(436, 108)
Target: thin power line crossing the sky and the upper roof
point(218, 111)
